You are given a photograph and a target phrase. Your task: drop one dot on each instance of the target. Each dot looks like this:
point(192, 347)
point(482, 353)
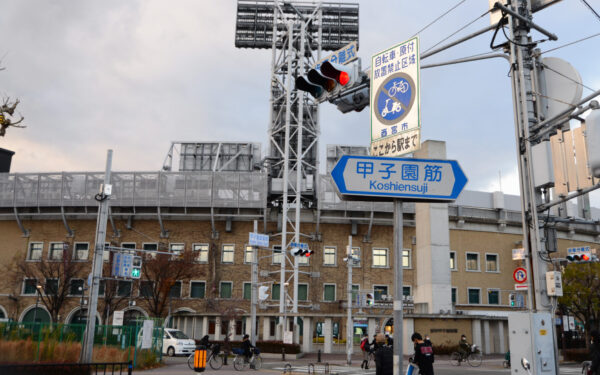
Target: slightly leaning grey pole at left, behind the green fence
point(97, 263)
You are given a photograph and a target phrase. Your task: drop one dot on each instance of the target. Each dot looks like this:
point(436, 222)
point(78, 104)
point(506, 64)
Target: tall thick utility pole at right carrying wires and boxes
point(527, 115)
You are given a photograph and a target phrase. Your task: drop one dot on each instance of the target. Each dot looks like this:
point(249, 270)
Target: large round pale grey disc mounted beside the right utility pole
point(561, 84)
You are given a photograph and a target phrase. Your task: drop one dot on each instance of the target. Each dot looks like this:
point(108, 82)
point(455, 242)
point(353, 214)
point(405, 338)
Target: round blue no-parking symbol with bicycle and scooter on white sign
point(395, 98)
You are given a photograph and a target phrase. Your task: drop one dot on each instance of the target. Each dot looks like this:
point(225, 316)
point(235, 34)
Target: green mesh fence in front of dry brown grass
point(35, 342)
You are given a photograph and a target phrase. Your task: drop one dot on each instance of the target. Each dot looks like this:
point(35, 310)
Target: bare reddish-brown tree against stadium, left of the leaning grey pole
point(54, 274)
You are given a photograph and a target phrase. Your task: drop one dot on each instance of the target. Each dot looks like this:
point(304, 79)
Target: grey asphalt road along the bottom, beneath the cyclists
point(441, 367)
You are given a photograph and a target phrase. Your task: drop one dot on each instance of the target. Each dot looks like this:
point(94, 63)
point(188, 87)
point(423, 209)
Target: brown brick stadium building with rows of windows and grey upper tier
point(457, 257)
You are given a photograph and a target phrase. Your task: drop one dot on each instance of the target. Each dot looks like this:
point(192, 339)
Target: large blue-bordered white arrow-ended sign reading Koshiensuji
point(404, 178)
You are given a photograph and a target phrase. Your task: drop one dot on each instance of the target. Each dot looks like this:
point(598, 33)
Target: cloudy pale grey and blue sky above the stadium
point(135, 75)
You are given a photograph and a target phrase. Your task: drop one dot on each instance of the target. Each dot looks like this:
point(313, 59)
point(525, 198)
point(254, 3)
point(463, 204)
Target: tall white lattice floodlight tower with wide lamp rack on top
point(296, 32)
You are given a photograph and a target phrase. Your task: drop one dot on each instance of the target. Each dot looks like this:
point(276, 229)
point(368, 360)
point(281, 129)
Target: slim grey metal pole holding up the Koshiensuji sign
point(398, 319)
